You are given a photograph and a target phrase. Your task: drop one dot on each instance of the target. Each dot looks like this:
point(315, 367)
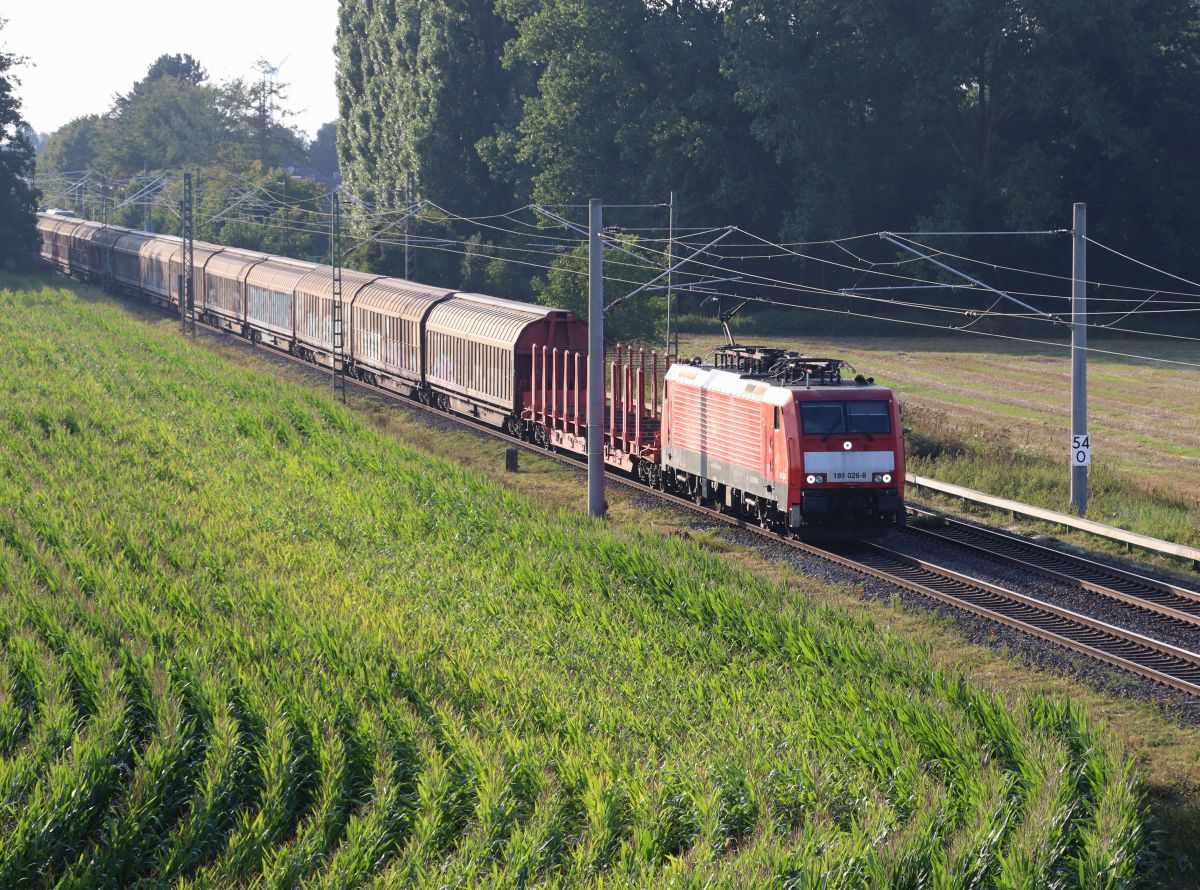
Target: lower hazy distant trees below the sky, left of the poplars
point(233, 136)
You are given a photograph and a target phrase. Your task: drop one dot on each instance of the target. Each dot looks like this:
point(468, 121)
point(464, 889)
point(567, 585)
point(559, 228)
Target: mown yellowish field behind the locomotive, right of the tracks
point(995, 417)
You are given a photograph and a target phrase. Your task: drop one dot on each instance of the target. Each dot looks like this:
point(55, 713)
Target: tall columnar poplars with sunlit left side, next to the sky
point(419, 85)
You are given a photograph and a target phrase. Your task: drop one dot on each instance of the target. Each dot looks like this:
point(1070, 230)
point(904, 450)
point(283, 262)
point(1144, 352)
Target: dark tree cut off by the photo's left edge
point(19, 199)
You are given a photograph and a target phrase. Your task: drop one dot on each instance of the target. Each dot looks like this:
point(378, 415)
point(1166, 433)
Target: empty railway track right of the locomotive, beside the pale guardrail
point(1173, 602)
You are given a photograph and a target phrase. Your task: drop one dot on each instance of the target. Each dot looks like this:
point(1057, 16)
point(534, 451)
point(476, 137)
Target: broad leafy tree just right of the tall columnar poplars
point(627, 100)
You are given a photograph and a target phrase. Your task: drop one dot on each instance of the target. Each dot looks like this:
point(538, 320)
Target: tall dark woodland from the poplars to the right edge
point(802, 121)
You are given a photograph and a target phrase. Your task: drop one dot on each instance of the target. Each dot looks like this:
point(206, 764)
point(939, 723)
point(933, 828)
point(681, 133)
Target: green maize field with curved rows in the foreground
point(248, 639)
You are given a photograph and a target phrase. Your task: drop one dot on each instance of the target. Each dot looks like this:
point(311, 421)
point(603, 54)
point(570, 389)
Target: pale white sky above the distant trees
point(82, 55)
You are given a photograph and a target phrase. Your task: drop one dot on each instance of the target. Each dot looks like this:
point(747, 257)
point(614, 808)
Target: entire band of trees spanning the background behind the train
point(801, 121)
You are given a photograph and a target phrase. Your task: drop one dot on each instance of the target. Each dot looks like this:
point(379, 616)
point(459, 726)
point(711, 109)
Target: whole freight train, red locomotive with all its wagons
point(778, 438)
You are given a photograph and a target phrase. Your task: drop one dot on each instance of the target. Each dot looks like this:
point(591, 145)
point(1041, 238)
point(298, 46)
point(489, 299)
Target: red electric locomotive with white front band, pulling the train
point(787, 441)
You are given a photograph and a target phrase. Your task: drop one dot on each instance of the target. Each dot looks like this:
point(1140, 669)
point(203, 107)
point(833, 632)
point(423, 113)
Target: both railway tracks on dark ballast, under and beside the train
point(1162, 663)
